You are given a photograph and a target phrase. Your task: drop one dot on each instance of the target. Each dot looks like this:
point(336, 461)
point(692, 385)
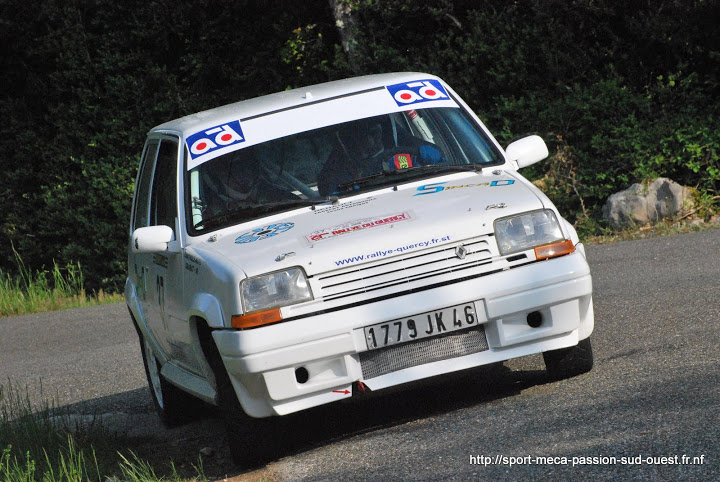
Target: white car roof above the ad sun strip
point(284, 100)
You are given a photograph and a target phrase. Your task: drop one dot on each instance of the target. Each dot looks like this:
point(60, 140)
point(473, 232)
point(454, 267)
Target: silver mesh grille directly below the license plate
point(376, 363)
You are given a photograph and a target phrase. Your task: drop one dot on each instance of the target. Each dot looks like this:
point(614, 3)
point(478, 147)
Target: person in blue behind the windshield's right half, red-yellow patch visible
point(359, 151)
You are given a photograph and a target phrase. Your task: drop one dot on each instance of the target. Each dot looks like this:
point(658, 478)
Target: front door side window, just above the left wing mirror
point(163, 204)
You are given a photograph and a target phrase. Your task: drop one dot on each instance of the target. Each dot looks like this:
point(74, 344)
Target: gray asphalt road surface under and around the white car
point(649, 409)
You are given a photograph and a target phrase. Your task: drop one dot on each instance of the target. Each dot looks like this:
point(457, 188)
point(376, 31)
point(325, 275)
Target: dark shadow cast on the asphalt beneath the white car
point(132, 414)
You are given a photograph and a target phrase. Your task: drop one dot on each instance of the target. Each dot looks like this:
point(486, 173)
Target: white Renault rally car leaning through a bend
point(304, 247)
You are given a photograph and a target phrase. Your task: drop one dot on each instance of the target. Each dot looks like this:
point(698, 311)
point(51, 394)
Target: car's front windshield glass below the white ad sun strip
point(307, 168)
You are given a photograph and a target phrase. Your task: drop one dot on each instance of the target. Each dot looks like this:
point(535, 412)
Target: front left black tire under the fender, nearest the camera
point(252, 441)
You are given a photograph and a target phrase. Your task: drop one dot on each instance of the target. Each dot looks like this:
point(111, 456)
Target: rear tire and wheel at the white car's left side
point(174, 406)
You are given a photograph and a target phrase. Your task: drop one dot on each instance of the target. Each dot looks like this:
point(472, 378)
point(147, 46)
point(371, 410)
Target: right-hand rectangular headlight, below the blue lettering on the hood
point(526, 231)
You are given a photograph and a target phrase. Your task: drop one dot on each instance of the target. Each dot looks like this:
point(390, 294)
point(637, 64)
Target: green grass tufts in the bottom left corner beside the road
point(49, 444)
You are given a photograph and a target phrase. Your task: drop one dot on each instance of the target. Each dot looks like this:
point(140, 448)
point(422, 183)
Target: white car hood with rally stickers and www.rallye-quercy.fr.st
point(375, 225)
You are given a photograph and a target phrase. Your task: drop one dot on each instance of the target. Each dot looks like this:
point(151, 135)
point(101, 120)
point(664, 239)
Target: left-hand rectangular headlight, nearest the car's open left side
point(274, 290)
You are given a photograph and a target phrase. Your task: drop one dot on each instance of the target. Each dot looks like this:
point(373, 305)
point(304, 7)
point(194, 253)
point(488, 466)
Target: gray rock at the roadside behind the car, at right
point(640, 205)
